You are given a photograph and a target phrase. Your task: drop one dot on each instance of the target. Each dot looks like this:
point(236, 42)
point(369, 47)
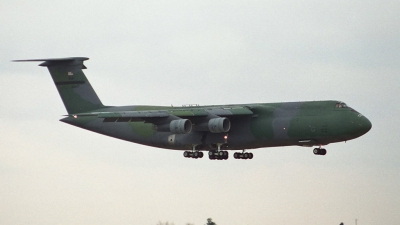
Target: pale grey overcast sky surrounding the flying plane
point(204, 52)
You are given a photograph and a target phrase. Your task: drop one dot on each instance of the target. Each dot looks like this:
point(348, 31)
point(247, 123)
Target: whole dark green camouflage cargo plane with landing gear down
point(214, 128)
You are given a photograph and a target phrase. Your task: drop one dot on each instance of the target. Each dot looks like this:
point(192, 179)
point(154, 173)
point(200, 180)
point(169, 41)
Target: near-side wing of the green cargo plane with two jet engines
point(180, 120)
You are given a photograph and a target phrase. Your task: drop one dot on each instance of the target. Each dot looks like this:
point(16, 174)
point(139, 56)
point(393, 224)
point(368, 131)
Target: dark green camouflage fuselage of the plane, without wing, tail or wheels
point(272, 124)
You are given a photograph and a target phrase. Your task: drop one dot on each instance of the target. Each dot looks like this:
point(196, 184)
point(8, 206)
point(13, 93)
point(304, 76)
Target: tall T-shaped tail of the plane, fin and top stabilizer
point(72, 85)
